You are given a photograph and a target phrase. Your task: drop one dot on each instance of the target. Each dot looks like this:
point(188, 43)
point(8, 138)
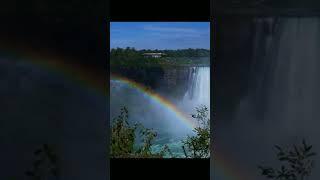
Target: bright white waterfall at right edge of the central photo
point(198, 92)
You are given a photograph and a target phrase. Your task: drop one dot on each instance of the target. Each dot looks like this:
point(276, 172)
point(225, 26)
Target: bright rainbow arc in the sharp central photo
point(157, 98)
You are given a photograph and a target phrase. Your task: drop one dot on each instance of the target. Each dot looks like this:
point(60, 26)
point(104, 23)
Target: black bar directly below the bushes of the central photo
point(160, 169)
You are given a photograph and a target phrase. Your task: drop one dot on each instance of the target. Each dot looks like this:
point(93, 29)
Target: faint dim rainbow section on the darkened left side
point(75, 73)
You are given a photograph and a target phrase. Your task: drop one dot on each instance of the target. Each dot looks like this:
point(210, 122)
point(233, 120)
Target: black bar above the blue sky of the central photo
point(160, 10)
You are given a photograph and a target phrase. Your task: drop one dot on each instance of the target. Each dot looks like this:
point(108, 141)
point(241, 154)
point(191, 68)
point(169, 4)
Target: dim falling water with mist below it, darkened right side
point(282, 104)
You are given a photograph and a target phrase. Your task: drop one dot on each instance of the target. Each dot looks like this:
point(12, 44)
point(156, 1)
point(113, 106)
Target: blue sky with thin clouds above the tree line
point(160, 35)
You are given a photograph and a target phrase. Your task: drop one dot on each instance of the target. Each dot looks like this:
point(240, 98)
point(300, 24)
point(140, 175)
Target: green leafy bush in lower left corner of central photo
point(123, 139)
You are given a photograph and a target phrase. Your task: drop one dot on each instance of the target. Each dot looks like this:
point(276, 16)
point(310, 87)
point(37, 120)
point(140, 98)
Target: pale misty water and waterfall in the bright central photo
point(153, 114)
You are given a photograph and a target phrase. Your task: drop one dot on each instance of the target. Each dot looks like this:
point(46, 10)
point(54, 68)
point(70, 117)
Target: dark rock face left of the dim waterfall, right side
point(232, 63)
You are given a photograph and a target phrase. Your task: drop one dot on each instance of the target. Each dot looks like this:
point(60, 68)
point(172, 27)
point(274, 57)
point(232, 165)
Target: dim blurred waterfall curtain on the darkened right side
point(286, 73)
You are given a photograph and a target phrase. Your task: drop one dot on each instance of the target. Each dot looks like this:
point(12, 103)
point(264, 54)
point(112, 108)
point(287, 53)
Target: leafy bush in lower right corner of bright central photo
point(198, 146)
